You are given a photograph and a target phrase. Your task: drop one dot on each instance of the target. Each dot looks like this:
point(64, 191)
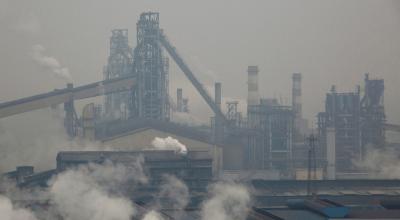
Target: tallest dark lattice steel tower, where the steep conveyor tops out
point(150, 97)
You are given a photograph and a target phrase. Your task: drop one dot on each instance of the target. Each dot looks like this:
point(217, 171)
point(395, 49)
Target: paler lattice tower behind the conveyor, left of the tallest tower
point(120, 64)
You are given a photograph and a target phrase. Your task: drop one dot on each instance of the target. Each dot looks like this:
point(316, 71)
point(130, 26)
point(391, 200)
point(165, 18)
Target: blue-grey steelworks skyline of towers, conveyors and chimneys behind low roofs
point(269, 138)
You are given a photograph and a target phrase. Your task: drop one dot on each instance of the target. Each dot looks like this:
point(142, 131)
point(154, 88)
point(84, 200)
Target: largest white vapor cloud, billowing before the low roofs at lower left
point(91, 192)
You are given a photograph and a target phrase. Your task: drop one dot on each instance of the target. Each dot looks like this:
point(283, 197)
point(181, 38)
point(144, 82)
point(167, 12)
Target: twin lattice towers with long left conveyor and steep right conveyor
point(135, 83)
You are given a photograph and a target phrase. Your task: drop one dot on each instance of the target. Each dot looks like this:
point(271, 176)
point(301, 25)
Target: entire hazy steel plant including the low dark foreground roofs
point(291, 166)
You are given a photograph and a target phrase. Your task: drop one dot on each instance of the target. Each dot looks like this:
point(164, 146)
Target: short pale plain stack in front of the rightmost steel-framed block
point(331, 153)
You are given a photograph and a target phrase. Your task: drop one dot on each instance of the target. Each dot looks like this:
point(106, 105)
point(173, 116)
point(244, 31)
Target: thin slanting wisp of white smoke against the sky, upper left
point(50, 63)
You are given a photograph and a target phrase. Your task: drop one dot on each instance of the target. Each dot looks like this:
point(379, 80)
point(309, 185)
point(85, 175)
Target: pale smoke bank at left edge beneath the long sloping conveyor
point(24, 142)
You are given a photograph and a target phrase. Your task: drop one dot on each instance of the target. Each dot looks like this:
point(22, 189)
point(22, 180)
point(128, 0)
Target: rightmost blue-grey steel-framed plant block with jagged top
point(359, 123)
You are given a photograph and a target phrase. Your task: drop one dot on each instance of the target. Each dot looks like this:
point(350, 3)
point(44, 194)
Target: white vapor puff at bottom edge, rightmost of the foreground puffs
point(228, 201)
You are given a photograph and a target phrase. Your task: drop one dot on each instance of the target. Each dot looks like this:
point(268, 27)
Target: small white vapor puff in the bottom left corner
point(9, 212)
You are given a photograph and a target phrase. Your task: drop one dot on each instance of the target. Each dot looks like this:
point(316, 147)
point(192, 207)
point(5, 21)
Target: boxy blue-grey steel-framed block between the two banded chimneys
point(270, 146)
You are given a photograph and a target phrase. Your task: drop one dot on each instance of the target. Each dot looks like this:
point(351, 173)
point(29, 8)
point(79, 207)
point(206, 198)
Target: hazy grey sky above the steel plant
point(330, 42)
